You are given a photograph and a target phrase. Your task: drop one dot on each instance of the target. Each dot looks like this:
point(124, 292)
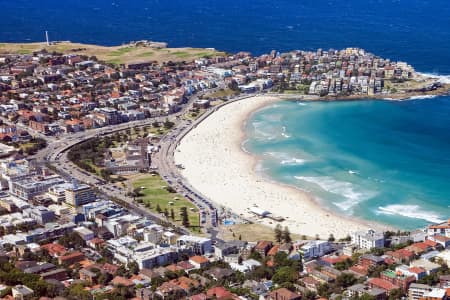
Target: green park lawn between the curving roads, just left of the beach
point(155, 194)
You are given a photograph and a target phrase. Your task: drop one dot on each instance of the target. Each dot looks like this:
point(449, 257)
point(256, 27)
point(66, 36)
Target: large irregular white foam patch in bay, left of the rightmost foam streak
point(350, 192)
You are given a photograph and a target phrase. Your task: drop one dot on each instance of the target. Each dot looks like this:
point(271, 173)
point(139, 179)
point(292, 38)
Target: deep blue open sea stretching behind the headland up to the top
point(417, 31)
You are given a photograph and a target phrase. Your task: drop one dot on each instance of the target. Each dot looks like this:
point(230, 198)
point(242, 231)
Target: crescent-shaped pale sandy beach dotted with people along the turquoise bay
point(216, 165)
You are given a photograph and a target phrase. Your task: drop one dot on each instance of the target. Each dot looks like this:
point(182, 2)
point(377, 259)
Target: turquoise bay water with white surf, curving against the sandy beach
point(386, 161)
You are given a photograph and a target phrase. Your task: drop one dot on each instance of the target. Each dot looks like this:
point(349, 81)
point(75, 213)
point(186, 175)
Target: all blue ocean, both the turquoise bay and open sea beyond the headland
point(381, 160)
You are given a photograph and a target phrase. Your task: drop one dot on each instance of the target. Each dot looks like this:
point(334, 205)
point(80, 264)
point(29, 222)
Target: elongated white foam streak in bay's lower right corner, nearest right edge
point(410, 211)
